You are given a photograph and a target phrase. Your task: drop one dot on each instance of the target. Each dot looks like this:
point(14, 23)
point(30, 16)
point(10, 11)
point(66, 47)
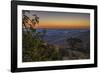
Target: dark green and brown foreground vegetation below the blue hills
point(36, 49)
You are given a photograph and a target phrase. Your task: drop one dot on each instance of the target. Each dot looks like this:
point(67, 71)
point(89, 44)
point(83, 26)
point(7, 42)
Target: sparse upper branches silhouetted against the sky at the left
point(29, 23)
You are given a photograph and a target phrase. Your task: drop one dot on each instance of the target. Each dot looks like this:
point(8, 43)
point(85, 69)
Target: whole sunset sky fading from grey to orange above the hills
point(61, 20)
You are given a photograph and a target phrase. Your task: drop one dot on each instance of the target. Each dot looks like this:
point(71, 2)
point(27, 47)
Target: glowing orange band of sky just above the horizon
point(64, 24)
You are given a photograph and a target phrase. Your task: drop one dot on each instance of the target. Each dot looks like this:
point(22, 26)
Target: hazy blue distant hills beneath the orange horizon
point(59, 36)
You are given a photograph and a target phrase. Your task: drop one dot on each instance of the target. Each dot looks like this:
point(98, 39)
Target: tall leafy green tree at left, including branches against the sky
point(34, 48)
